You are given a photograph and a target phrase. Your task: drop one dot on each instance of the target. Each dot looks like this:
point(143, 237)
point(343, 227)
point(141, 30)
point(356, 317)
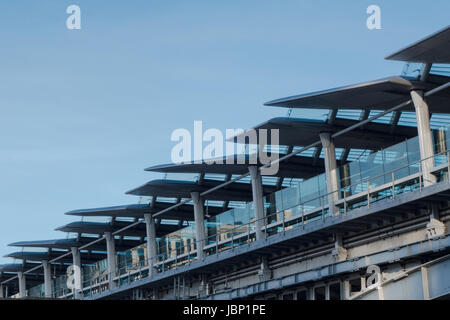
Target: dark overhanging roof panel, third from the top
point(302, 132)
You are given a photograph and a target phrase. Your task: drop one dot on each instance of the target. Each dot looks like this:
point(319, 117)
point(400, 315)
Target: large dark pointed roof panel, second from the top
point(379, 94)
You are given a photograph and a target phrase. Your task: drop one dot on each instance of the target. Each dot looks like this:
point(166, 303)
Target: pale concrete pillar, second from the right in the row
point(330, 170)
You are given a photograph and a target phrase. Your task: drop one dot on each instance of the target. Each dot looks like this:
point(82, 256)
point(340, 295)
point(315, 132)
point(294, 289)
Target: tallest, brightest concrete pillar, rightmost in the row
point(424, 134)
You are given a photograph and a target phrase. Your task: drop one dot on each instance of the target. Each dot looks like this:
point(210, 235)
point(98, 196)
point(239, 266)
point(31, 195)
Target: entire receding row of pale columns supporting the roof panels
point(426, 152)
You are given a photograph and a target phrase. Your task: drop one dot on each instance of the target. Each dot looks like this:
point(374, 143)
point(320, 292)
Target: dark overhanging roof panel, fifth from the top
point(183, 189)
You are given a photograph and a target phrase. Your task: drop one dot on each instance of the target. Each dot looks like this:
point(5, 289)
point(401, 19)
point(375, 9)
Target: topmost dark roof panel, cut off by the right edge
point(433, 49)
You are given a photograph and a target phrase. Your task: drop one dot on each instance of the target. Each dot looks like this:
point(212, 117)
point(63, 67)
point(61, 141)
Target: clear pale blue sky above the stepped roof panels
point(83, 112)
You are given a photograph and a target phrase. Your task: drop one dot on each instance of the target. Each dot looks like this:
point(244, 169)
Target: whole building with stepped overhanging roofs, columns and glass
point(358, 209)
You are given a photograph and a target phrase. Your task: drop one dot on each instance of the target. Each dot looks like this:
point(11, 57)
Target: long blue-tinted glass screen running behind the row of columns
point(382, 175)
